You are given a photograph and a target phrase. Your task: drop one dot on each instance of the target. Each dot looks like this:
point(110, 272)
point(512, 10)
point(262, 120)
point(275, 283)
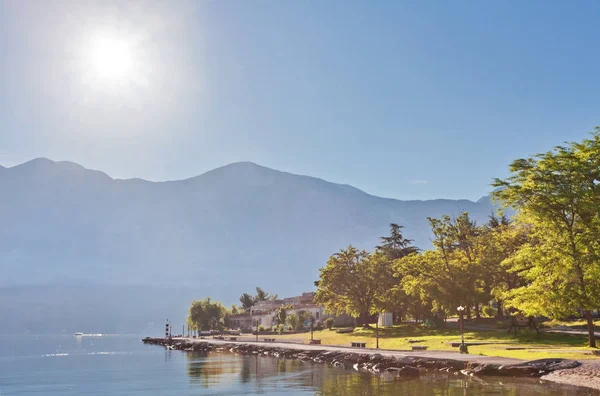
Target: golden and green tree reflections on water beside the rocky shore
point(267, 375)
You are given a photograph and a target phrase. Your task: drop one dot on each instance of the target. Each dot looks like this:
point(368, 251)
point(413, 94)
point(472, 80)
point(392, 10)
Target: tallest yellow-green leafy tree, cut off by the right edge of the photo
point(558, 193)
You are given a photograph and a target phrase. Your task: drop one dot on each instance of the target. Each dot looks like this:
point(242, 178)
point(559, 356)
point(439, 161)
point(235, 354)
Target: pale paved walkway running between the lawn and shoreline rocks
point(384, 352)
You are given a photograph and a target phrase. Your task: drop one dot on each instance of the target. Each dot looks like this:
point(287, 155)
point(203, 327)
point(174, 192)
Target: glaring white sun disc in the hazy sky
point(111, 58)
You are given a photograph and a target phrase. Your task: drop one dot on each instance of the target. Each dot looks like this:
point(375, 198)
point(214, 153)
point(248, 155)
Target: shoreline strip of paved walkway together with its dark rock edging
point(401, 363)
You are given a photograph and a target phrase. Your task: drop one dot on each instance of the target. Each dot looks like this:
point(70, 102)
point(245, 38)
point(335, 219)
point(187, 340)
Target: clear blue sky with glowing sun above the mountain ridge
point(410, 100)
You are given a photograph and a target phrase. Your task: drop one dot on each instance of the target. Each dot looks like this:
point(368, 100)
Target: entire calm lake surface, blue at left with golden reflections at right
point(122, 365)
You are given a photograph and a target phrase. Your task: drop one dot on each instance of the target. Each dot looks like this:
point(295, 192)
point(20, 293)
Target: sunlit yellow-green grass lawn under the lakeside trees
point(397, 337)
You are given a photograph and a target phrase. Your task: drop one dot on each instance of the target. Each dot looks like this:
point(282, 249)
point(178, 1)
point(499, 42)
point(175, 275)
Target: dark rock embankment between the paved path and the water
point(372, 361)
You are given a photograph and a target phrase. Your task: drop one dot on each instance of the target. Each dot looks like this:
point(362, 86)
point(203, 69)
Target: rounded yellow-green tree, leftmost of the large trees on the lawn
point(354, 282)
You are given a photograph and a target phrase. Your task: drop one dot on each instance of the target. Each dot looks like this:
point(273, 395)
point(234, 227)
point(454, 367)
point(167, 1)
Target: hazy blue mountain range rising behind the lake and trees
point(222, 232)
